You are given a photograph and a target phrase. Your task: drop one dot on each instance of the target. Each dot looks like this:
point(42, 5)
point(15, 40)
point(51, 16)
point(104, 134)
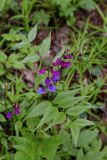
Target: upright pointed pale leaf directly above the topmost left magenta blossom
point(45, 45)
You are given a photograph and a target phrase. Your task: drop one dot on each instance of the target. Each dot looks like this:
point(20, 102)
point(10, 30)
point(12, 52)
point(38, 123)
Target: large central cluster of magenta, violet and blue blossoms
point(54, 74)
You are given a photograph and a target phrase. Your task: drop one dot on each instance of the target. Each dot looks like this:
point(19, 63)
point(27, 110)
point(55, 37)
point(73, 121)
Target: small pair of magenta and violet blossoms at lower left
point(16, 111)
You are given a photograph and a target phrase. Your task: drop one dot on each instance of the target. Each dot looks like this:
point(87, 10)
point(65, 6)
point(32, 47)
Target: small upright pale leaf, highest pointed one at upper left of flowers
point(32, 34)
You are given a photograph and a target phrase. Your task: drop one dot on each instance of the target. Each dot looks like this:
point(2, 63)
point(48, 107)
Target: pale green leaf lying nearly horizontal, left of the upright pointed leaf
point(32, 59)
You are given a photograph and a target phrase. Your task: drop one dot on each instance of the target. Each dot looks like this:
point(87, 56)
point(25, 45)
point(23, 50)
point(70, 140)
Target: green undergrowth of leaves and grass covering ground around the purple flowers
point(66, 124)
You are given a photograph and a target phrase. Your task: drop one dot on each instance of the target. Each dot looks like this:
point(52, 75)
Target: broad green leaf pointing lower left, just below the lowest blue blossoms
point(39, 109)
